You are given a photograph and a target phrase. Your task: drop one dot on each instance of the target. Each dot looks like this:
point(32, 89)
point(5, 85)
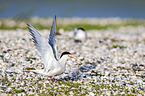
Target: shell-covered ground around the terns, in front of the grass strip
point(110, 62)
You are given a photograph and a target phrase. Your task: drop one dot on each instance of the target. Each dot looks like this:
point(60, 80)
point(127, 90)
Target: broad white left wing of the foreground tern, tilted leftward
point(42, 45)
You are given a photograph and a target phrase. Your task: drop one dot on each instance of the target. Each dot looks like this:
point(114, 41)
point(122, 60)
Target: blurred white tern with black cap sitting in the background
point(80, 35)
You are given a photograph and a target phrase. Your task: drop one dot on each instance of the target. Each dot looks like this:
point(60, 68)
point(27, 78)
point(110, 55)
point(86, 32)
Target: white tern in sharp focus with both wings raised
point(52, 64)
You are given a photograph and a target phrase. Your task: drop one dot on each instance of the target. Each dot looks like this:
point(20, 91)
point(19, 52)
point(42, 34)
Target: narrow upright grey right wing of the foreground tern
point(53, 38)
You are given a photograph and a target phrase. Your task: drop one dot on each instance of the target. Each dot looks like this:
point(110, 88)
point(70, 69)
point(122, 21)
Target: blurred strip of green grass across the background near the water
point(13, 24)
